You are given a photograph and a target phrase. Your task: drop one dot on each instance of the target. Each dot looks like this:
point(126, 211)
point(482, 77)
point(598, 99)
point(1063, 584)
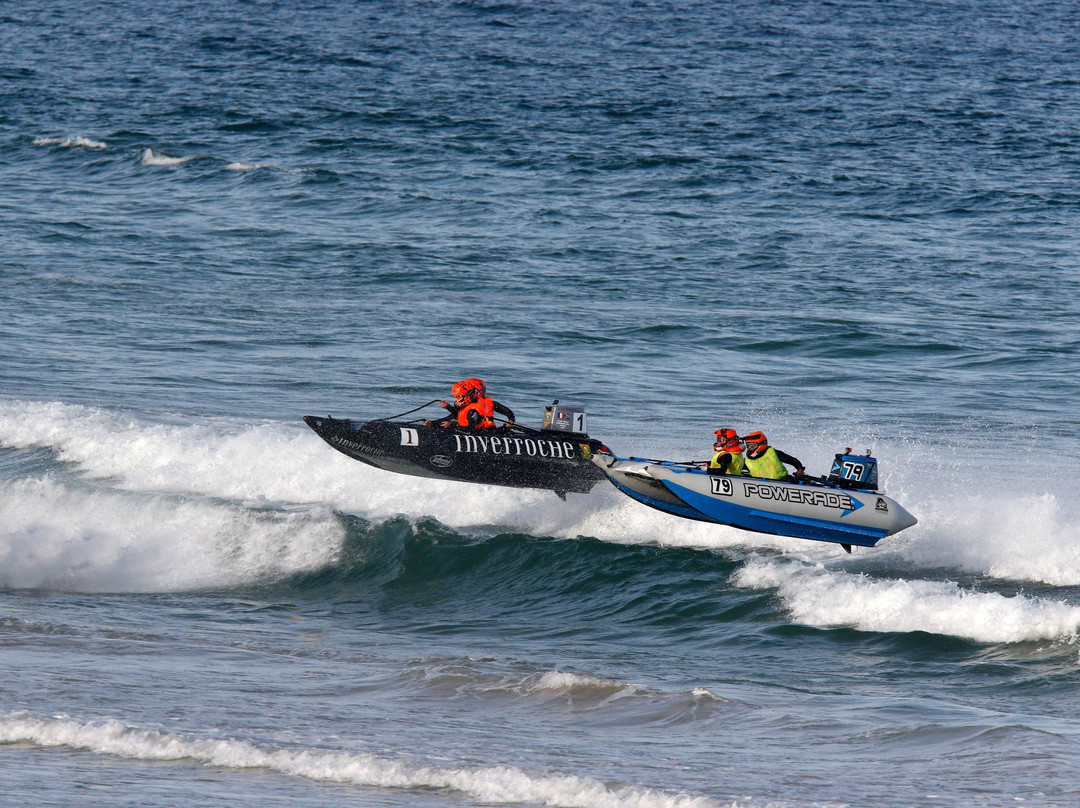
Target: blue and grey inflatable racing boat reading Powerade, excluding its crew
point(844, 508)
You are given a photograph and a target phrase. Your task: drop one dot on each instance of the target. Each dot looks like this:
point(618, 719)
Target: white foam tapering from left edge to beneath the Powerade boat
point(278, 464)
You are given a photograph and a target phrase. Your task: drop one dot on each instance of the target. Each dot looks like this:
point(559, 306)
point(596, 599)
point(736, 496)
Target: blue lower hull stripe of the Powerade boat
point(780, 524)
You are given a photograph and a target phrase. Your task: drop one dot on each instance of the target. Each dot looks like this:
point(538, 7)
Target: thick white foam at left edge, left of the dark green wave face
point(67, 537)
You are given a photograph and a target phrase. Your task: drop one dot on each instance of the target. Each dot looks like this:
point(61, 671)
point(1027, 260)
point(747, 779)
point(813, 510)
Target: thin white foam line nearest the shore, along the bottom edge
point(503, 785)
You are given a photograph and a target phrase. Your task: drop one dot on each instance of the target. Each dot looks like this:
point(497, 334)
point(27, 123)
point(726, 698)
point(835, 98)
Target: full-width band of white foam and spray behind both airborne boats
point(1000, 529)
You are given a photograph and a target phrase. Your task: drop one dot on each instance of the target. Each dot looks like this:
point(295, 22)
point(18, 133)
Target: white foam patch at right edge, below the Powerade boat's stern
point(828, 599)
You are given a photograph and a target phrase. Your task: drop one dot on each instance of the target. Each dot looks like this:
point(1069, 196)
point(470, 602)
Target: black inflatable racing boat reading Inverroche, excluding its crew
point(557, 457)
